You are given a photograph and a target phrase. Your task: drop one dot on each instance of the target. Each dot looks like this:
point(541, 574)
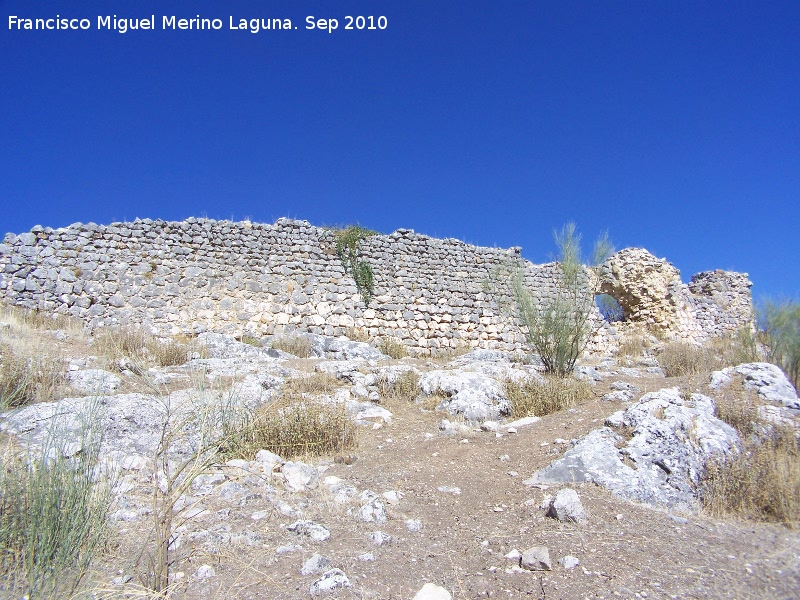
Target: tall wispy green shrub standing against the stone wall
point(558, 327)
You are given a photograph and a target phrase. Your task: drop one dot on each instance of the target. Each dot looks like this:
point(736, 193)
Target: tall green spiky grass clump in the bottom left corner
point(52, 515)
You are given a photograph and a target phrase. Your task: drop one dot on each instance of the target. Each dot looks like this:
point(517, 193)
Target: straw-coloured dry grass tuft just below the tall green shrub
point(530, 398)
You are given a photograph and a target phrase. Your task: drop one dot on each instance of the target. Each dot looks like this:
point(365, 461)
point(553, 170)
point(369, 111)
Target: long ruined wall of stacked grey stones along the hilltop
point(242, 277)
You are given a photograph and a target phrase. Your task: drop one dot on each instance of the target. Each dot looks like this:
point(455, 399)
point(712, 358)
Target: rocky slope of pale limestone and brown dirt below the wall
point(597, 501)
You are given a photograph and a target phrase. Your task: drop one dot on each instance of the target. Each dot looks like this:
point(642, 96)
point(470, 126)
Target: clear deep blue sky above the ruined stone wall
point(673, 124)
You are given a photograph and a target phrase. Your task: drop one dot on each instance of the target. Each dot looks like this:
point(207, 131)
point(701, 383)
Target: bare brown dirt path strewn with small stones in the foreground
point(625, 550)
